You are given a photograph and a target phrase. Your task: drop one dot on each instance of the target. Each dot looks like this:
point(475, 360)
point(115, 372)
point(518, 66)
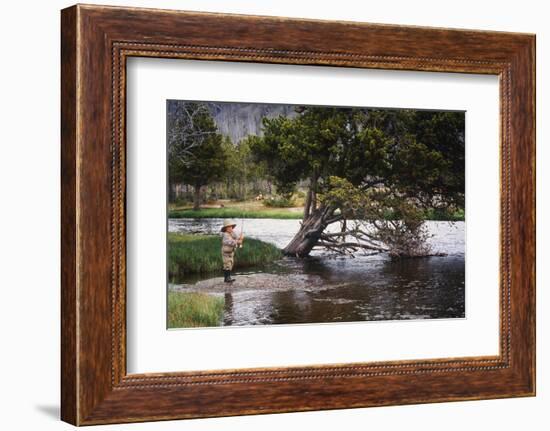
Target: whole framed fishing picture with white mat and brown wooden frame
point(263, 214)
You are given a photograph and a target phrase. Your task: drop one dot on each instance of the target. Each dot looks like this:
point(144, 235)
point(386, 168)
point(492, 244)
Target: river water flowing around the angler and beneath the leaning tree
point(355, 289)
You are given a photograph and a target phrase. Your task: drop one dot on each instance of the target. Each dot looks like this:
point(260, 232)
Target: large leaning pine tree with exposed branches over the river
point(375, 172)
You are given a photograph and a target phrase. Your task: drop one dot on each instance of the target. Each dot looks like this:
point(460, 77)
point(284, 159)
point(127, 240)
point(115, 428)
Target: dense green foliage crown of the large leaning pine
point(419, 153)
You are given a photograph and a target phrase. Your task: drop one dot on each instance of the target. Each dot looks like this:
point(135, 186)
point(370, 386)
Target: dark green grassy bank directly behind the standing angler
point(188, 254)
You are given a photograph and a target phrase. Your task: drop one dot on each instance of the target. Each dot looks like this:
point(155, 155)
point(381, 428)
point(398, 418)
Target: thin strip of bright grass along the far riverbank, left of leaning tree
point(236, 213)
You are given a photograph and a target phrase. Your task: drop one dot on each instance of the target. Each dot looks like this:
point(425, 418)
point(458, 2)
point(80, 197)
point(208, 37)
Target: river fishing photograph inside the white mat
point(297, 214)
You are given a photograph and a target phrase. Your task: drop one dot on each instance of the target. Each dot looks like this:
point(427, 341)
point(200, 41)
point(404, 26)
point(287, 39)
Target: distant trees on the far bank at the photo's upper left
point(205, 162)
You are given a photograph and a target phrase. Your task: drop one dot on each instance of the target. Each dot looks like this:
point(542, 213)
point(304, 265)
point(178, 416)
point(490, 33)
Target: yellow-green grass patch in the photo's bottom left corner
point(193, 310)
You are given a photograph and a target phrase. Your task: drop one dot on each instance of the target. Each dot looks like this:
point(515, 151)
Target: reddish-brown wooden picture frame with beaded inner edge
point(95, 43)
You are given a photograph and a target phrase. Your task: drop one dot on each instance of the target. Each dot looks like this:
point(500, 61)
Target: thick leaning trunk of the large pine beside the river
point(310, 231)
